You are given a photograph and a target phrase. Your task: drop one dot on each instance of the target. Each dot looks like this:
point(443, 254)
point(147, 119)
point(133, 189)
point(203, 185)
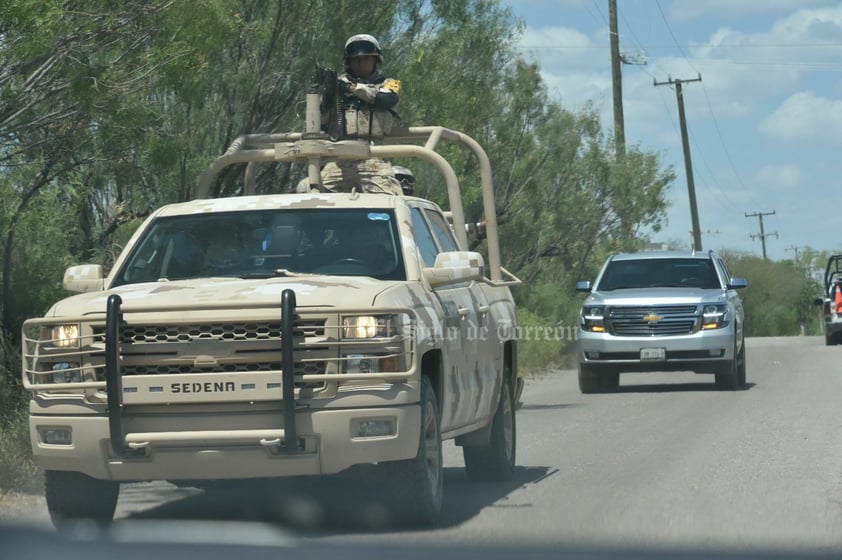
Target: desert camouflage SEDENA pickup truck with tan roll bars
point(278, 335)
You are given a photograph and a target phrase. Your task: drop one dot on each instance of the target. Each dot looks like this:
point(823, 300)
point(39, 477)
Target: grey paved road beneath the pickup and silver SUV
point(665, 462)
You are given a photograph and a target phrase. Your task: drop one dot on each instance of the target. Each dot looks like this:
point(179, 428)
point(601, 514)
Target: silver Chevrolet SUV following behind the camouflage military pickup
point(661, 311)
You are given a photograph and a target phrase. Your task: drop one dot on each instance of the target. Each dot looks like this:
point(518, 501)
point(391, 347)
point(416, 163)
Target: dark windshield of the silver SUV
point(653, 273)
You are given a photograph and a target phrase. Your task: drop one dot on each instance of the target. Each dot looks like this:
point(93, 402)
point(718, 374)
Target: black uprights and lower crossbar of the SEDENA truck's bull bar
point(126, 446)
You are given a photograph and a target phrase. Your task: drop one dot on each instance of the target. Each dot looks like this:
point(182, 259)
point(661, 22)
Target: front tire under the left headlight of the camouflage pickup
point(73, 495)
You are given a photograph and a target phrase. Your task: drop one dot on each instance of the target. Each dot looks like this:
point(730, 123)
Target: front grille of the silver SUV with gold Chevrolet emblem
point(653, 321)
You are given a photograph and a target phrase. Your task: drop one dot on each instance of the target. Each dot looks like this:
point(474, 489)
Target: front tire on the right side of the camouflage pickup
point(416, 485)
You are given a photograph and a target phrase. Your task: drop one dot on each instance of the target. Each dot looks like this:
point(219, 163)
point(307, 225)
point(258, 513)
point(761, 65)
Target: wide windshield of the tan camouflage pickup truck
point(266, 243)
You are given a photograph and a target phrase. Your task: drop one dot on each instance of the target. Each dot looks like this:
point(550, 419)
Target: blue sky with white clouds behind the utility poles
point(765, 122)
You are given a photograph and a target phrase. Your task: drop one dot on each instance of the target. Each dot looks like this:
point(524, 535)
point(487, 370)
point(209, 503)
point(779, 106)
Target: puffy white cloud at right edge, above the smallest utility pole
point(805, 117)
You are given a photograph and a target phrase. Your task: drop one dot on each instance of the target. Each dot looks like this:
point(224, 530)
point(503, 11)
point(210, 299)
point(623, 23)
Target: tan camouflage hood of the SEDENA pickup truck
point(312, 291)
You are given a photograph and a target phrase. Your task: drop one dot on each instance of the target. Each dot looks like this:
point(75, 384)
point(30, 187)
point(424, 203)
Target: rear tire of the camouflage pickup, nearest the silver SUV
point(495, 461)
